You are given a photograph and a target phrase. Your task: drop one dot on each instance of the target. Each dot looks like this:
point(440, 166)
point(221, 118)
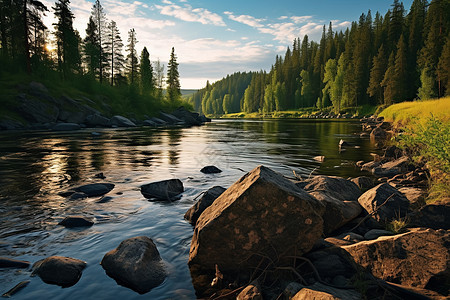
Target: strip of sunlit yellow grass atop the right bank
point(402, 114)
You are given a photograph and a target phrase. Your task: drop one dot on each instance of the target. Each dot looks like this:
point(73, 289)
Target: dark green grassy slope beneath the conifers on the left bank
point(109, 100)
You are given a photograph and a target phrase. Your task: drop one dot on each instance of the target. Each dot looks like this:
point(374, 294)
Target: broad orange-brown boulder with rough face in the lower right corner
point(419, 258)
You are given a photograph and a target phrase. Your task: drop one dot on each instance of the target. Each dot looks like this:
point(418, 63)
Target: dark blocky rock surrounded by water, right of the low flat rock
point(163, 190)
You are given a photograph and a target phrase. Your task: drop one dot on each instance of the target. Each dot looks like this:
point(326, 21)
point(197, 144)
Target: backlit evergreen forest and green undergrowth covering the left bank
point(99, 65)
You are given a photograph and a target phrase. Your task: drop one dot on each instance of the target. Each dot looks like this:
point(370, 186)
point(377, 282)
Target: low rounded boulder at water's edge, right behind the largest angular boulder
point(337, 187)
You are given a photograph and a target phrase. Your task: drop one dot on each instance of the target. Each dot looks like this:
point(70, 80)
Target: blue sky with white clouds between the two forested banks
point(214, 38)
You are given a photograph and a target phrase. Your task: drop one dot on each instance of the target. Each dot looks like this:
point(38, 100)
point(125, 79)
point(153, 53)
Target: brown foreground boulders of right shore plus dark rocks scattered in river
point(272, 237)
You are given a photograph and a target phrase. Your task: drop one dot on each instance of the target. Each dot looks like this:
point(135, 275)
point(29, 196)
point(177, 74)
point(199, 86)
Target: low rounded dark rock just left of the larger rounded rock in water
point(59, 270)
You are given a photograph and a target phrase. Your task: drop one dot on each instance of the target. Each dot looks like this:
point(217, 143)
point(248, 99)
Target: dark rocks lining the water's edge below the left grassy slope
point(38, 110)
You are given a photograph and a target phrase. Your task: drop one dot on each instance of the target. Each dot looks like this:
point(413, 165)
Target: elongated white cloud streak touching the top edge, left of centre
point(189, 14)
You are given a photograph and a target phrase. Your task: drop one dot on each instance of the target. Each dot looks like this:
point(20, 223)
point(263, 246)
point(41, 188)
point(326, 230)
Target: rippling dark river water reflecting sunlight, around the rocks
point(35, 167)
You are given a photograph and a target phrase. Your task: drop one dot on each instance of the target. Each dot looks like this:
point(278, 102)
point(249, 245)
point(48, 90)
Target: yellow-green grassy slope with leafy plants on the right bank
point(427, 136)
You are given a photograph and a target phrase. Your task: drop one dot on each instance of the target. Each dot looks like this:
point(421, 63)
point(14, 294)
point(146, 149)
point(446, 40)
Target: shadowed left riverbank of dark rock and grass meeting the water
point(33, 106)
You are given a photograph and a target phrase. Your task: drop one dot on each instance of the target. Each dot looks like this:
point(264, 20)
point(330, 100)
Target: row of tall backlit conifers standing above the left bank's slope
point(25, 43)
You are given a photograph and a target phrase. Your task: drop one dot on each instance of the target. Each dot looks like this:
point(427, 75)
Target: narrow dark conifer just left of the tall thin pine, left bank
point(92, 49)
